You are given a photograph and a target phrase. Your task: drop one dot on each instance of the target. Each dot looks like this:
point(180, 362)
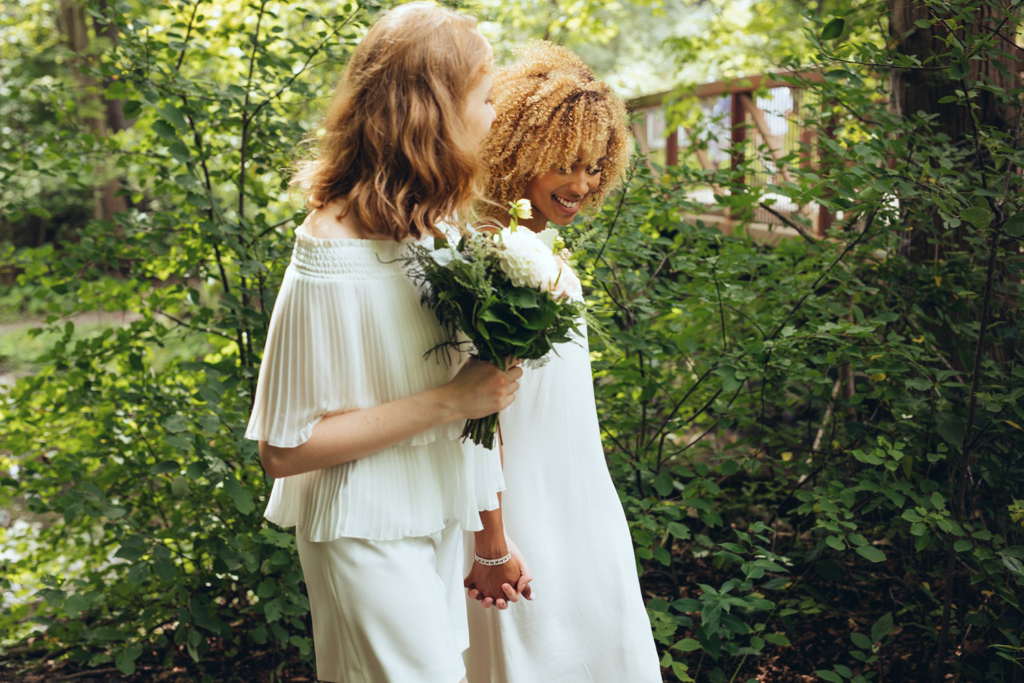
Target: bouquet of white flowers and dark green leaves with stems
point(511, 293)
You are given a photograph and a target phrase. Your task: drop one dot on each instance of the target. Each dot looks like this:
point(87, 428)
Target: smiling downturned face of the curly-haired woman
point(559, 194)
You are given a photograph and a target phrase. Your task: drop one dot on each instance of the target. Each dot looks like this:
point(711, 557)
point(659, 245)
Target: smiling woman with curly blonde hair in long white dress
point(561, 140)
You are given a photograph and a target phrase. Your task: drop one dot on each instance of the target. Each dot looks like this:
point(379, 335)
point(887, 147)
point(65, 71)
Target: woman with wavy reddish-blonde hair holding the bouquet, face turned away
point(359, 432)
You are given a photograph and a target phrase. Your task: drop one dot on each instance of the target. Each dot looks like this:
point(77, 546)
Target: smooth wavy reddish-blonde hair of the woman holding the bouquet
point(395, 146)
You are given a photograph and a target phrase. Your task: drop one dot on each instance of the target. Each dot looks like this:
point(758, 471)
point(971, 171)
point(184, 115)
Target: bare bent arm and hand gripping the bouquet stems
point(478, 391)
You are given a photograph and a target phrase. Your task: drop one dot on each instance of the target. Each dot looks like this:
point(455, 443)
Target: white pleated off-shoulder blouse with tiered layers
point(349, 332)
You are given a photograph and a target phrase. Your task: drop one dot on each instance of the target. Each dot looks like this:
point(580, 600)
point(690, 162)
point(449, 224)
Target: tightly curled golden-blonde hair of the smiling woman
point(550, 106)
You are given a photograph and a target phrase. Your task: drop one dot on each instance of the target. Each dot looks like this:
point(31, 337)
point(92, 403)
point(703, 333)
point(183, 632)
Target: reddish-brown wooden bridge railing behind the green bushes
point(764, 111)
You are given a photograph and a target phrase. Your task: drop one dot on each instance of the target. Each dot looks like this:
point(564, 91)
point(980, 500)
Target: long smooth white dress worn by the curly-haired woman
point(587, 623)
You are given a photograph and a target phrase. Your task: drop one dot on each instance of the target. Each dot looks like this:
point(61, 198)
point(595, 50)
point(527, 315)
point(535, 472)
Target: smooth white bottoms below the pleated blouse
point(388, 612)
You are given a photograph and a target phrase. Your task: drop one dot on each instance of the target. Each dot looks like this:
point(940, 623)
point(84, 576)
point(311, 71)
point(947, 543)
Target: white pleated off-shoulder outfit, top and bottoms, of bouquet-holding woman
point(380, 539)
